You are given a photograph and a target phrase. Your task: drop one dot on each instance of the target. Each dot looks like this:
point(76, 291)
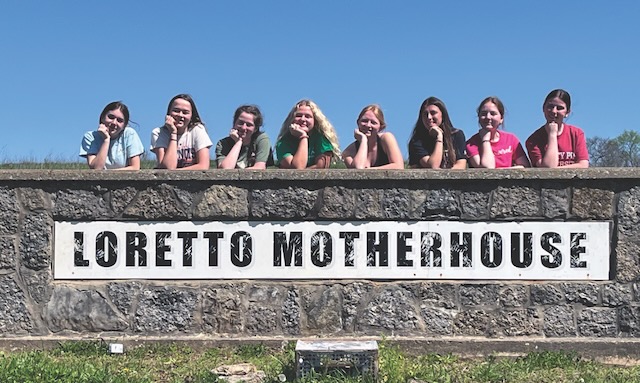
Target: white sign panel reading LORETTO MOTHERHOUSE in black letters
point(332, 250)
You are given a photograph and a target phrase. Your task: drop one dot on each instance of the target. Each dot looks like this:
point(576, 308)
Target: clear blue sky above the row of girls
point(63, 61)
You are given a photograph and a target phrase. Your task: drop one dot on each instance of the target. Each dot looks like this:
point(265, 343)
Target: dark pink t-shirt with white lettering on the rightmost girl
point(572, 146)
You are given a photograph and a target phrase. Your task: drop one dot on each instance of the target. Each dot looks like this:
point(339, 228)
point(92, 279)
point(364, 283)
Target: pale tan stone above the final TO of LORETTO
point(223, 201)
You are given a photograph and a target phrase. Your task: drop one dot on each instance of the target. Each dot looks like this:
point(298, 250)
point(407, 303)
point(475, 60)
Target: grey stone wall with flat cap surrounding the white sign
point(34, 305)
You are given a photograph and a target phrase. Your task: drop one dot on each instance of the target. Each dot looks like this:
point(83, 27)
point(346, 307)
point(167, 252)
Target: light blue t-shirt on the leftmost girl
point(125, 146)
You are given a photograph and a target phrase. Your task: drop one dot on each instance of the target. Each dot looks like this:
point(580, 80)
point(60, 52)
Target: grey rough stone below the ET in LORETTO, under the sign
point(165, 310)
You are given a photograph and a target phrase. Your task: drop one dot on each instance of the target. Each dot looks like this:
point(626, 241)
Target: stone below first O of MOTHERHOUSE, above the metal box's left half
point(323, 309)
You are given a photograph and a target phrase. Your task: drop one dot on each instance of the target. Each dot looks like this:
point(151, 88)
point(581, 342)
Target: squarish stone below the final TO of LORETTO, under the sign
point(223, 309)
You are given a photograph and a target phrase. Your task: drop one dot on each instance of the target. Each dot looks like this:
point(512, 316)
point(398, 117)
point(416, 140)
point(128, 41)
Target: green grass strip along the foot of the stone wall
point(88, 361)
